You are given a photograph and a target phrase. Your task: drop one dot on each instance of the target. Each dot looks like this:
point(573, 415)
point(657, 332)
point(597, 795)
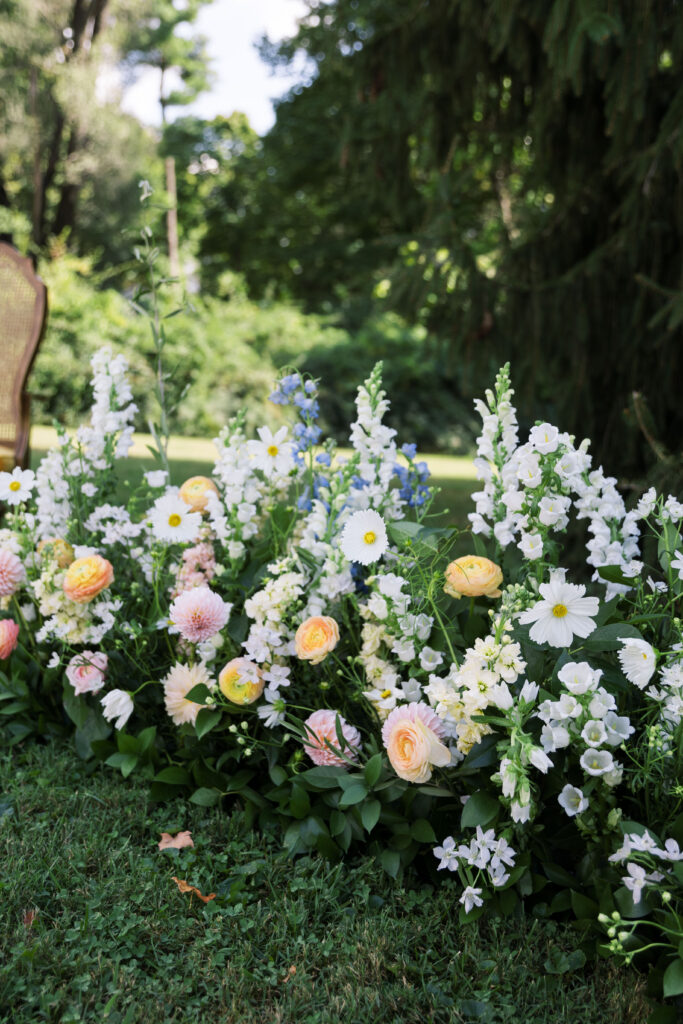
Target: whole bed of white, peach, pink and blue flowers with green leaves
point(296, 632)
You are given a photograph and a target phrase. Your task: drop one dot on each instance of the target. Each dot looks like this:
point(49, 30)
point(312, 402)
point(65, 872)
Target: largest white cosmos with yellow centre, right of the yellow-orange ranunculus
point(563, 614)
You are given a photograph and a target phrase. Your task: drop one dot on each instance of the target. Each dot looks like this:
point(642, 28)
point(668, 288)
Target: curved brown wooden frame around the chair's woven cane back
point(21, 400)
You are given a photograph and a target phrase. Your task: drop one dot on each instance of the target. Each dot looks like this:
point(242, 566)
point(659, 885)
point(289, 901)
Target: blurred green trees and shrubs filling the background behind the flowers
point(450, 186)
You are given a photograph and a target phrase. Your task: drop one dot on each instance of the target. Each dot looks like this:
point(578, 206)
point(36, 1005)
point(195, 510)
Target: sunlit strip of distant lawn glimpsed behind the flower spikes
point(190, 456)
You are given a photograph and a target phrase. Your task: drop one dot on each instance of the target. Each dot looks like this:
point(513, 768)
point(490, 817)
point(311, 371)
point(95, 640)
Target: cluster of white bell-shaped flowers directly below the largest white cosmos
point(585, 716)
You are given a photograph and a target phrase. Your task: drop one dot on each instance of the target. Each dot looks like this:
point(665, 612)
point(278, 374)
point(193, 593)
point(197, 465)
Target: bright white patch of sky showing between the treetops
point(243, 81)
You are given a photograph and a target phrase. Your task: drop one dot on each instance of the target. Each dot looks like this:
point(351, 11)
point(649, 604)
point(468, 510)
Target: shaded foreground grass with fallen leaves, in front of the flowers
point(95, 929)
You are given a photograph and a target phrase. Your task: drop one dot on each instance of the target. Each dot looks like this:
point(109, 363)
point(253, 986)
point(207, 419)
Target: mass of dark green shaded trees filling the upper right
point(517, 172)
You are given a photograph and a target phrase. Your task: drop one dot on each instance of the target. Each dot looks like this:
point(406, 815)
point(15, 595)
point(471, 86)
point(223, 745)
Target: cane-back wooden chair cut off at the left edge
point(23, 313)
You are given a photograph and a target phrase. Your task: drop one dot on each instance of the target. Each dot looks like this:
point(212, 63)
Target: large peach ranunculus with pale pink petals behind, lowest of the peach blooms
point(412, 736)
